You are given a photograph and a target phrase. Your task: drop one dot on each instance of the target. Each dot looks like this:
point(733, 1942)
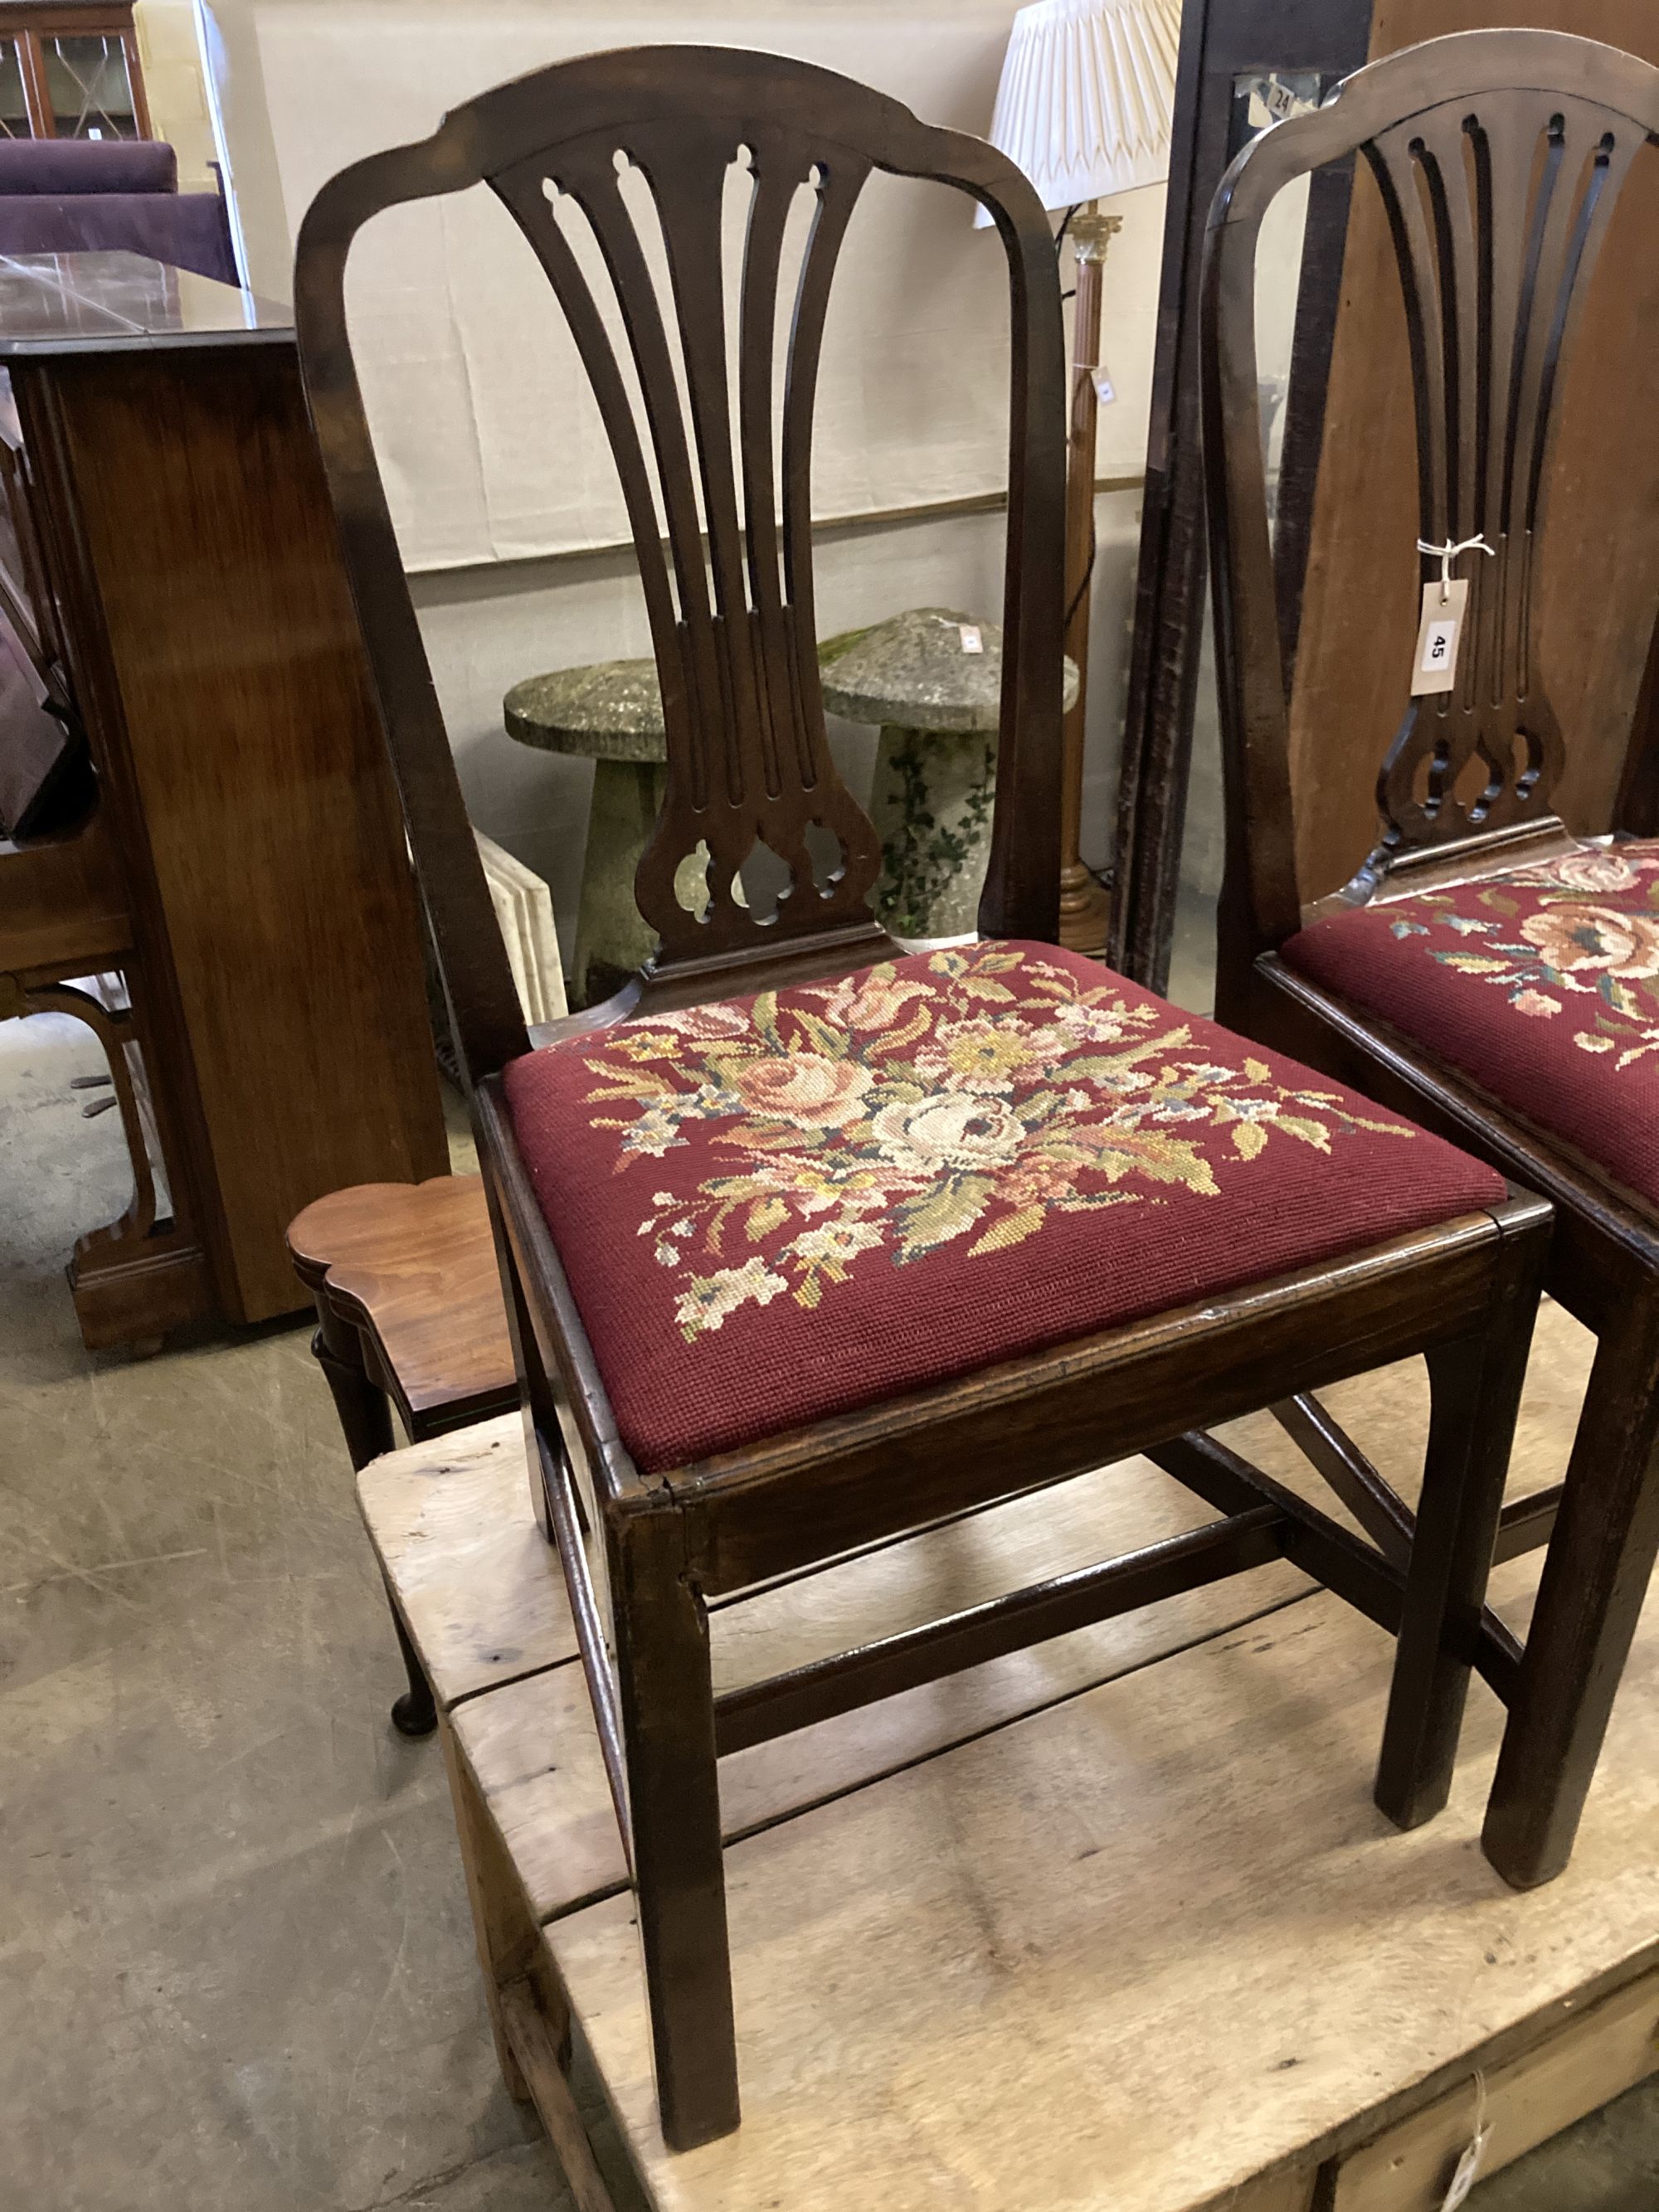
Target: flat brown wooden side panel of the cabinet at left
point(258, 771)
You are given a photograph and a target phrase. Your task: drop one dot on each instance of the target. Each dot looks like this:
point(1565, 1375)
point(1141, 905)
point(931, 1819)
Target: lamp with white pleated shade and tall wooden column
point(1085, 107)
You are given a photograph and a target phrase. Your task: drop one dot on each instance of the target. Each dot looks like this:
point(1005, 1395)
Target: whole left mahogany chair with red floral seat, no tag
point(806, 1242)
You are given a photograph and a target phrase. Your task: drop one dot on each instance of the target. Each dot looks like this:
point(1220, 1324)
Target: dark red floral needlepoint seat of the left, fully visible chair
point(806, 1202)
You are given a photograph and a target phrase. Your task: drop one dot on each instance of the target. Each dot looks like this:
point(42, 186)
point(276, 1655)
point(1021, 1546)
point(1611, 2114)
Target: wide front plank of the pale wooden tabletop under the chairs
point(1131, 1952)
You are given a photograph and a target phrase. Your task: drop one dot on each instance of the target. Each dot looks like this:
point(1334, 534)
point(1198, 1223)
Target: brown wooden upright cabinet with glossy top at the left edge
point(209, 866)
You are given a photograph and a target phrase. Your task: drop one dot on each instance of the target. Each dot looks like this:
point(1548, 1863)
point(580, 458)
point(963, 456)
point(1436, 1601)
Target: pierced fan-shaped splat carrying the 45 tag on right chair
point(1499, 211)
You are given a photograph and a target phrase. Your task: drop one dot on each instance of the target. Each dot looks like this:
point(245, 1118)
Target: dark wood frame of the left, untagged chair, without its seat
point(747, 758)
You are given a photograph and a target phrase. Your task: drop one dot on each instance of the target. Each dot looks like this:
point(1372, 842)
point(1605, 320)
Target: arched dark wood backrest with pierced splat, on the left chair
point(609, 167)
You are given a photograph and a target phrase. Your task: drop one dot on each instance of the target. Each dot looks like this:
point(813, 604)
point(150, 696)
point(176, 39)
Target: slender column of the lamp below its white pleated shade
point(1085, 908)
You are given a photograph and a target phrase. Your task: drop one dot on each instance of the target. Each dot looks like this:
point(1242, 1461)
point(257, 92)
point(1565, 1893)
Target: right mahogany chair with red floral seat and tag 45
point(1485, 972)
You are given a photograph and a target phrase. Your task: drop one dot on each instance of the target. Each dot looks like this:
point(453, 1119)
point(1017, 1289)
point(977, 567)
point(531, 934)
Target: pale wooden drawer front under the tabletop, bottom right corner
point(1580, 2067)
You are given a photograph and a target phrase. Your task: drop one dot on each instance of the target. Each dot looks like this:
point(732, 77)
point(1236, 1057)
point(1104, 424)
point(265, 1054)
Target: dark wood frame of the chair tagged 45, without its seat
point(1494, 289)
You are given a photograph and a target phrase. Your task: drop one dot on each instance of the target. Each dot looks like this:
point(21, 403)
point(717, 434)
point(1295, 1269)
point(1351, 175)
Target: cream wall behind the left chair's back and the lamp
point(494, 450)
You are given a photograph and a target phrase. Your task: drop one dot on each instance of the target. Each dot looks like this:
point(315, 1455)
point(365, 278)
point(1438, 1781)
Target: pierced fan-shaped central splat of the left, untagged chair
point(733, 632)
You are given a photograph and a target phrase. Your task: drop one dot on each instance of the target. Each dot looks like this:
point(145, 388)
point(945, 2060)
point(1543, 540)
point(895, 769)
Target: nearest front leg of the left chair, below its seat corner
point(667, 1704)
